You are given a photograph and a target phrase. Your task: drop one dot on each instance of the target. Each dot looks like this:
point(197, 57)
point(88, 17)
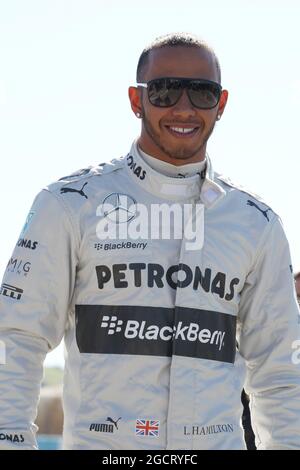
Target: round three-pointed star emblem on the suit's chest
point(119, 208)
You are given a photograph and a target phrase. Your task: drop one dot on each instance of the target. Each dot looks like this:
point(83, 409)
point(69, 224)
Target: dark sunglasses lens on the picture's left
point(164, 92)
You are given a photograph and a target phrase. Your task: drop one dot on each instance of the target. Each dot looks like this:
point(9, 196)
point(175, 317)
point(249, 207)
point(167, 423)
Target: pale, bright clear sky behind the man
point(65, 67)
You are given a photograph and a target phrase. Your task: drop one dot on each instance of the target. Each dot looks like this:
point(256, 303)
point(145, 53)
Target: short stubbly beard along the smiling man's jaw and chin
point(182, 152)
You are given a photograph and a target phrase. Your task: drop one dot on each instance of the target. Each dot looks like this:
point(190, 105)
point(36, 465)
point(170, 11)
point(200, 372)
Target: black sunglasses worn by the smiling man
point(167, 91)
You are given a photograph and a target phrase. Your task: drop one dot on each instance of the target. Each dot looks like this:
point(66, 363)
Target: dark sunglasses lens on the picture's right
point(204, 95)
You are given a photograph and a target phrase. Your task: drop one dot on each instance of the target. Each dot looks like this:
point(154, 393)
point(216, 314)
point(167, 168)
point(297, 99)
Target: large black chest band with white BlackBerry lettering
point(139, 330)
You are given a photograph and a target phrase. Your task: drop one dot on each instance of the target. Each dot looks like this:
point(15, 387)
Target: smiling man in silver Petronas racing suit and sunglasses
point(162, 330)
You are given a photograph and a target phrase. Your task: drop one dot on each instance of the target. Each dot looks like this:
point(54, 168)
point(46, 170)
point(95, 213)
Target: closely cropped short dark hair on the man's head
point(173, 40)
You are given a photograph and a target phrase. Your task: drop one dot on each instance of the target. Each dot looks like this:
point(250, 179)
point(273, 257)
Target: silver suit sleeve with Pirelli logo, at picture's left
point(35, 299)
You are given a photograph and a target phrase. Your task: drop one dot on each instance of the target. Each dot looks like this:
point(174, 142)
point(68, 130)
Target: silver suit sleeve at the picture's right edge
point(269, 317)
